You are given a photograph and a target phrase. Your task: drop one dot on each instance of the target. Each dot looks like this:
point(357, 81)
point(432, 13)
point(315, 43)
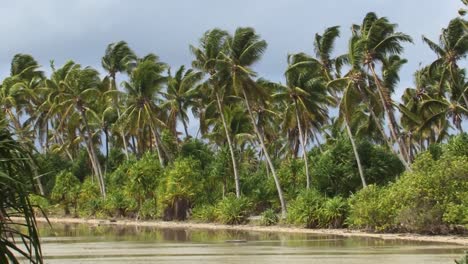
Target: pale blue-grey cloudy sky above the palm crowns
point(80, 30)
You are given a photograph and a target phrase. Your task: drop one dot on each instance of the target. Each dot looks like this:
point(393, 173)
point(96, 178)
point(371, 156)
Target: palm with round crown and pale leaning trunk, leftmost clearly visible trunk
point(73, 91)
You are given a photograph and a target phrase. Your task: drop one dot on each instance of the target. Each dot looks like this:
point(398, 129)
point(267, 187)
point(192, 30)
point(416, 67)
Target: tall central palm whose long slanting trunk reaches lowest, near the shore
point(245, 49)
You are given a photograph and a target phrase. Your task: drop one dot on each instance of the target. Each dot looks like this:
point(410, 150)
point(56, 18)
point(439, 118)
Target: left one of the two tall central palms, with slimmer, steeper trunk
point(207, 56)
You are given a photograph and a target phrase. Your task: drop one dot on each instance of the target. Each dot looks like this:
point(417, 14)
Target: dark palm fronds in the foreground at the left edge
point(17, 239)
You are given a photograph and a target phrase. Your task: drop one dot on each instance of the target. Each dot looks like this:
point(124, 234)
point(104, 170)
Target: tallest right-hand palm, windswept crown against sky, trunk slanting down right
point(378, 39)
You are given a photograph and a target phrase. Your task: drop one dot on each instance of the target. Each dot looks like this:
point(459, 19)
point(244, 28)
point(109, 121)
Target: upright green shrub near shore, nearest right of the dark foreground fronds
point(66, 191)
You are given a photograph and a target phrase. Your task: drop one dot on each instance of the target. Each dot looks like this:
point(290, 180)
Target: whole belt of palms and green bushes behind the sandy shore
point(330, 147)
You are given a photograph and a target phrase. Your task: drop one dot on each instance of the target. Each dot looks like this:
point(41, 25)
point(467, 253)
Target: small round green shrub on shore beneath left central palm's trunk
point(232, 210)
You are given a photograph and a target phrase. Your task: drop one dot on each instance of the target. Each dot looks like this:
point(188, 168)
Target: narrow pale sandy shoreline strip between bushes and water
point(450, 239)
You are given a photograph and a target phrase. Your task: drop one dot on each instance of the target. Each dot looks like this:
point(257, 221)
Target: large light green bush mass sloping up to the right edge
point(429, 199)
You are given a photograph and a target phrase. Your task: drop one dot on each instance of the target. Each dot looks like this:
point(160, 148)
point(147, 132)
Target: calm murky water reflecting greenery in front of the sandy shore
point(116, 244)
